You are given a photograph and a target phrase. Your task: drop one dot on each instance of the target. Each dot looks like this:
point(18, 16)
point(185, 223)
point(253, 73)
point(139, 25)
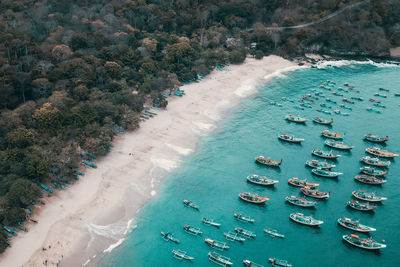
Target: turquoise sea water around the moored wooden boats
point(213, 176)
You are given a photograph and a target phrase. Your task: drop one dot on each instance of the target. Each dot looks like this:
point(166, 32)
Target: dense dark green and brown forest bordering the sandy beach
point(74, 73)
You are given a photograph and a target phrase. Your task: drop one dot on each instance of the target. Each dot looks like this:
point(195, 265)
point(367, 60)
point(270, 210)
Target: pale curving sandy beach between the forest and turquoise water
point(77, 226)
